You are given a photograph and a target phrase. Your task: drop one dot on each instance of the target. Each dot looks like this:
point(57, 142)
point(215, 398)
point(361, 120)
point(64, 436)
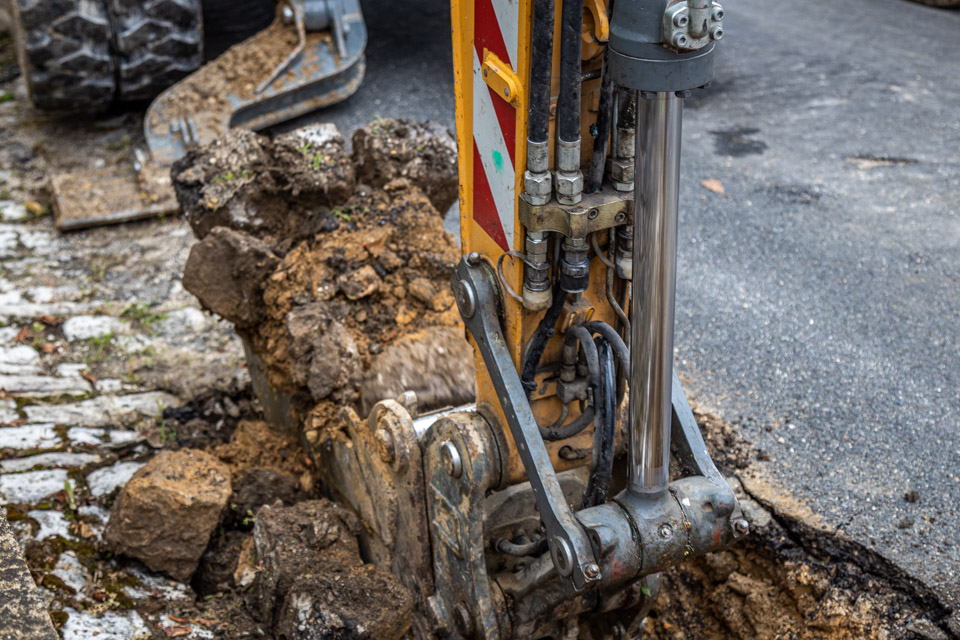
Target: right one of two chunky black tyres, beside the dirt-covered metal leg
point(156, 42)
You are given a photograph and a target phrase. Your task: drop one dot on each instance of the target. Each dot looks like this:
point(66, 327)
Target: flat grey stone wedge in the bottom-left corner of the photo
point(23, 615)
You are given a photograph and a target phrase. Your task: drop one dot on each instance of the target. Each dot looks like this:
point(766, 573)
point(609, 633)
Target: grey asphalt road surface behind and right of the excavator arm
point(819, 297)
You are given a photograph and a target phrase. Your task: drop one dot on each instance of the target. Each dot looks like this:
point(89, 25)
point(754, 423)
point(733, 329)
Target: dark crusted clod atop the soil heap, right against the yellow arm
point(425, 153)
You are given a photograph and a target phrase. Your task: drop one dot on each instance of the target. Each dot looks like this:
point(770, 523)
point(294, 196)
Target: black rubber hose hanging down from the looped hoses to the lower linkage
point(604, 432)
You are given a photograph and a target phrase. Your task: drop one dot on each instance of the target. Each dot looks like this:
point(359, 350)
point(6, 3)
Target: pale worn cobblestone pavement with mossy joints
point(96, 338)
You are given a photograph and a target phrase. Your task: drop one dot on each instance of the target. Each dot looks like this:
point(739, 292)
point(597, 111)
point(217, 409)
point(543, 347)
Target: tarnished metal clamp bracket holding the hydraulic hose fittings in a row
point(596, 211)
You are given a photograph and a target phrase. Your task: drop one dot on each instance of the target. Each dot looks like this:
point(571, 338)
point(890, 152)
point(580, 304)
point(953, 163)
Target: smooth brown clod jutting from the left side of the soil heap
point(227, 271)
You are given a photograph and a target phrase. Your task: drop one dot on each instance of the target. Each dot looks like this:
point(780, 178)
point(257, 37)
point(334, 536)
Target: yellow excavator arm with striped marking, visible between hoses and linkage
point(491, 55)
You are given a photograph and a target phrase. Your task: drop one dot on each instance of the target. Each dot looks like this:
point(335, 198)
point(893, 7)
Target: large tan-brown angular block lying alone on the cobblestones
point(165, 514)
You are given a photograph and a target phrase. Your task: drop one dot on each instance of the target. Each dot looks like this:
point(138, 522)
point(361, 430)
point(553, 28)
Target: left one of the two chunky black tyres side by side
point(64, 52)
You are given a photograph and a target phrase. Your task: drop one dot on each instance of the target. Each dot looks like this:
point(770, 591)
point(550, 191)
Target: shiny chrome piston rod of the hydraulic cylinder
point(657, 172)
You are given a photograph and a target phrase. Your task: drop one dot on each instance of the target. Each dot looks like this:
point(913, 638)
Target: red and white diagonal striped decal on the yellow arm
point(496, 23)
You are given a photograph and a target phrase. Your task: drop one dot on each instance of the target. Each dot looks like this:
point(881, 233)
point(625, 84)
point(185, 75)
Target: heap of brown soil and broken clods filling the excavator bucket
point(335, 275)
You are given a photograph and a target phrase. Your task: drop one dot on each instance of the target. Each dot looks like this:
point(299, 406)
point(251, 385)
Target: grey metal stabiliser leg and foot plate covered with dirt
point(311, 57)
